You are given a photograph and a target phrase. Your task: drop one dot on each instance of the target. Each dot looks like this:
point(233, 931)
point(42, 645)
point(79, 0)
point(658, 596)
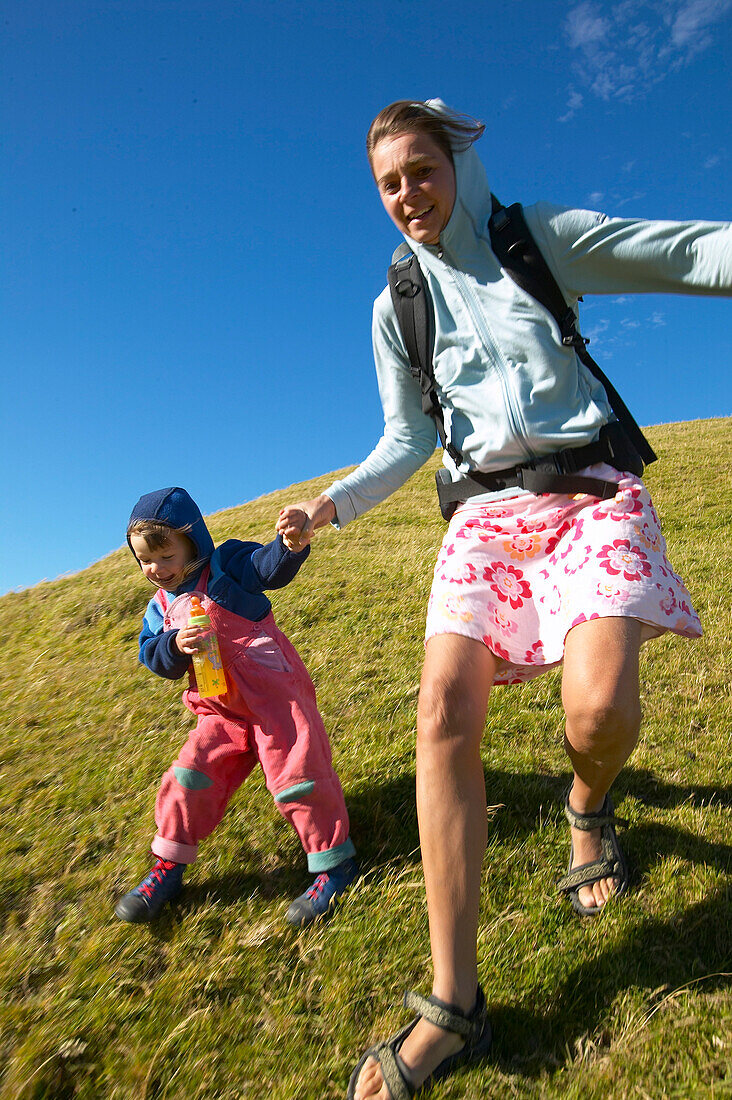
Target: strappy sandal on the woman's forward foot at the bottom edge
point(474, 1027)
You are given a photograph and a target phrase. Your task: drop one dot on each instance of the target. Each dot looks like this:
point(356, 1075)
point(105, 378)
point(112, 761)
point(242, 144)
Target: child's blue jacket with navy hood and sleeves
point(239, 573)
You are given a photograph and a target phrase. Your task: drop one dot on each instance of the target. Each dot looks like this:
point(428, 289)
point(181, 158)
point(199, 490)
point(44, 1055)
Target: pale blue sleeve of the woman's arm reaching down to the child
point(410, 436)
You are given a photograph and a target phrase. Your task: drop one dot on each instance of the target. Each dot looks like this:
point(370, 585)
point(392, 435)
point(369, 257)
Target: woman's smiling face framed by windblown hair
point(417, 184)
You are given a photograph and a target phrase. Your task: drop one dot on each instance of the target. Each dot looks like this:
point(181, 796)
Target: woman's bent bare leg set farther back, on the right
point(602, 698)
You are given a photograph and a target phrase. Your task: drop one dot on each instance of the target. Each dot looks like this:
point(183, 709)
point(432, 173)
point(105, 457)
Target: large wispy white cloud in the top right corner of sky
point(627, 48)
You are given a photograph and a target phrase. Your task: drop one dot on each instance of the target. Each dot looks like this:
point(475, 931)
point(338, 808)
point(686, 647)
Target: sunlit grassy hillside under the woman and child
point(221, 999)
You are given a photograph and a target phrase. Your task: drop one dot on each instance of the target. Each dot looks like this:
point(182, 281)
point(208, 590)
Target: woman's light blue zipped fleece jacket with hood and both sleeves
point(510, 391)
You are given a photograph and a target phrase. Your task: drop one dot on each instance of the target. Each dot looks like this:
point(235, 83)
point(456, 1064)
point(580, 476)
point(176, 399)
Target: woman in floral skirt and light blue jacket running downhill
point(522, 582)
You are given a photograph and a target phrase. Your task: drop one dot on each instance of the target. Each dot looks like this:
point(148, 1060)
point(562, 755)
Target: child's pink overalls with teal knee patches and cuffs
point(269, 717)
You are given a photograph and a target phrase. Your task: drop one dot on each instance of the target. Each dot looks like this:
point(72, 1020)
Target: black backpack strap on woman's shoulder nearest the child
point(413, 305)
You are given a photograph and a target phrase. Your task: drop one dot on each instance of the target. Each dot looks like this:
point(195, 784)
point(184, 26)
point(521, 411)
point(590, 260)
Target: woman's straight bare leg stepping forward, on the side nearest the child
point(456, 683)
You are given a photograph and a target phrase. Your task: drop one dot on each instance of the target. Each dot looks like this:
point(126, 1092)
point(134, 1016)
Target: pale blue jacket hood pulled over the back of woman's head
point(473, 199)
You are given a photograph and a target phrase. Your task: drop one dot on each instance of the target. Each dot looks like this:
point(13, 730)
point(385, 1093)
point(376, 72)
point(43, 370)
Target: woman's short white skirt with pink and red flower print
point(520, 574)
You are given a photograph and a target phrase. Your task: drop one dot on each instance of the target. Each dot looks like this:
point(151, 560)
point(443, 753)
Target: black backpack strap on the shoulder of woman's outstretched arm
point(519, 255)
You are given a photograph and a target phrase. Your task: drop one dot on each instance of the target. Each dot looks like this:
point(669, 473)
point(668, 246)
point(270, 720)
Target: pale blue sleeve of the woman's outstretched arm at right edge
point(591, 254)
